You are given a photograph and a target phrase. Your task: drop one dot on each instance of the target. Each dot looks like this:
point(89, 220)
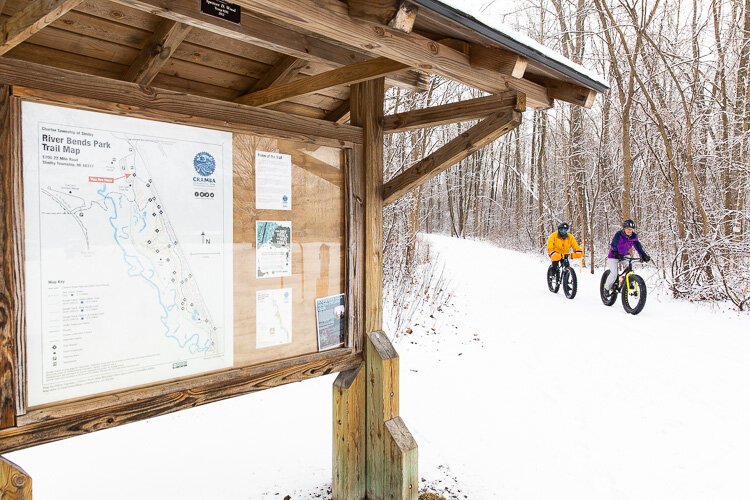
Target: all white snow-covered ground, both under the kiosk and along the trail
point(511, 392)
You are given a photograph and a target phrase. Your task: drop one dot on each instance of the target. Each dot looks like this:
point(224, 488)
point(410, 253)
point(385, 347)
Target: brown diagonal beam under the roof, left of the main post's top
point(341, 76)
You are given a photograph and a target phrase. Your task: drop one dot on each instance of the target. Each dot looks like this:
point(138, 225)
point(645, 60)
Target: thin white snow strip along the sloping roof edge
point(473, 13)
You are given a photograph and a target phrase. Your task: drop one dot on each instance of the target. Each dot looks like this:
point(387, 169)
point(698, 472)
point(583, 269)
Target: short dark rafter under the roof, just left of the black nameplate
point(167, 36)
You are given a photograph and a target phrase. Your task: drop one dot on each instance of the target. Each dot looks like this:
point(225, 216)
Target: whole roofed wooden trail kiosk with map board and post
point(148, 150)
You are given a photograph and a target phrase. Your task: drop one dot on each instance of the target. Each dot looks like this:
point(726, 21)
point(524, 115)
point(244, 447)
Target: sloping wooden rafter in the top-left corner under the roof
point(35, 16)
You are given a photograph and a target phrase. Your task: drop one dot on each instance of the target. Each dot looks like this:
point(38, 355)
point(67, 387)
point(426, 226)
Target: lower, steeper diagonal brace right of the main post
point(456, 150)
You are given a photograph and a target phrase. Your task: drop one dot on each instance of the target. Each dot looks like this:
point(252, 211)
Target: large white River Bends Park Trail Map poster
point(128, 251)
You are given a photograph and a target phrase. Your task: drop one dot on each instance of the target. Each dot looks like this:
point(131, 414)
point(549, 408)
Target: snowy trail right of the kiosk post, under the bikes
point(575, 400)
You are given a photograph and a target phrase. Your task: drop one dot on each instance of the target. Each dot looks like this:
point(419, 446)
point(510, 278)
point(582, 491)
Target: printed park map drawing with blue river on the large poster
point(150, 247)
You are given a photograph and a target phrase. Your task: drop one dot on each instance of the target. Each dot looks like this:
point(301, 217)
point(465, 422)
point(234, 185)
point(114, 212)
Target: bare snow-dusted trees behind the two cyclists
point(668, 146)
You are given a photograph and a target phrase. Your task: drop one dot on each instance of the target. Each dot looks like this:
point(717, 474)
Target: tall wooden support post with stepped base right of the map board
point(390, 452)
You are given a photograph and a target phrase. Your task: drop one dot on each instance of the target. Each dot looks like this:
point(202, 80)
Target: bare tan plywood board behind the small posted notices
point(317, 218)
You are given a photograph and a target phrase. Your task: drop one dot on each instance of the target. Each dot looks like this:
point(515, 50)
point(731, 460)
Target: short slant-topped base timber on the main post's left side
point(349, 435)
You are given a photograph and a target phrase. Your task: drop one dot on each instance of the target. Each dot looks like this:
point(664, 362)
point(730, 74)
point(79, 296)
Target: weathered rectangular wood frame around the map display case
point(21, 428)
